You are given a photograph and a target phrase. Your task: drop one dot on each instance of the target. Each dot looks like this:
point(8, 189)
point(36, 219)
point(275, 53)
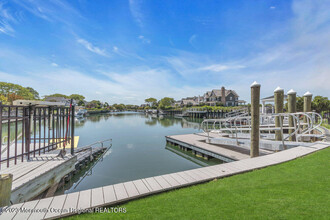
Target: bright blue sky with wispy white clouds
point(126, 51)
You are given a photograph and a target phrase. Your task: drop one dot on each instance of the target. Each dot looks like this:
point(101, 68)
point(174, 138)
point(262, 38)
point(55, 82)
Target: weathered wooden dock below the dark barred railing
point(33, 177)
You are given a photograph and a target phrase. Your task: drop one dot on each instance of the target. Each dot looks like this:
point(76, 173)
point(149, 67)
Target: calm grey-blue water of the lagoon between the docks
point(138, 148)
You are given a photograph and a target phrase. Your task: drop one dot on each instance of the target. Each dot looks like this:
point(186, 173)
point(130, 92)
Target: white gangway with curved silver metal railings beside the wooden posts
point(235, 130)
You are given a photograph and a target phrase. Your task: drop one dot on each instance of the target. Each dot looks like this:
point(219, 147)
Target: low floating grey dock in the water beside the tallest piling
point(198, 143)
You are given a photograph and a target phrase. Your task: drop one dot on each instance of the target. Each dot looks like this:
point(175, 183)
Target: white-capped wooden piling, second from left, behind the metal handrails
point(279, 100)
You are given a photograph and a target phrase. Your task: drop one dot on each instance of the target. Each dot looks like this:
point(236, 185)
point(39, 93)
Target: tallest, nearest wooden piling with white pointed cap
point(255, 119)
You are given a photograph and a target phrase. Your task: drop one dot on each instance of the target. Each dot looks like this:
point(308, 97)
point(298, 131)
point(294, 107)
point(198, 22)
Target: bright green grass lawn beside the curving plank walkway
point(298, 189)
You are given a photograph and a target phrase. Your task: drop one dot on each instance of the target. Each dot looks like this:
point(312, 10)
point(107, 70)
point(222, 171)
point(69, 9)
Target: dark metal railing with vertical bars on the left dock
point(27, 131)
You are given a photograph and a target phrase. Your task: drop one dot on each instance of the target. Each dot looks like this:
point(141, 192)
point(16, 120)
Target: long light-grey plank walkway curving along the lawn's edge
point(69, 204)
